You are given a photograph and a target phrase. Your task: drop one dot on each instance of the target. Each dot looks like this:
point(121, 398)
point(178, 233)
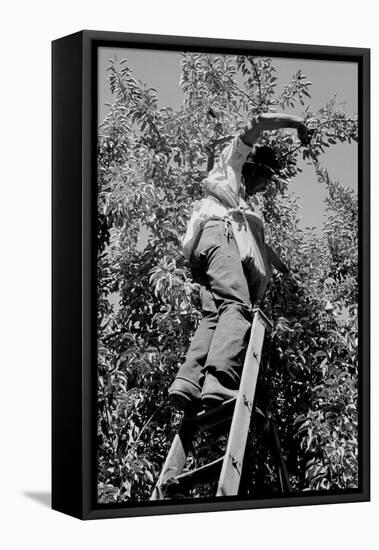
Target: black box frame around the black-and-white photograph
point(74, 128)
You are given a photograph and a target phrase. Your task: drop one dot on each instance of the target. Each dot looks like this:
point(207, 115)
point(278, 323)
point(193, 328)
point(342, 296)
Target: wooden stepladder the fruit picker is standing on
point(239, 410)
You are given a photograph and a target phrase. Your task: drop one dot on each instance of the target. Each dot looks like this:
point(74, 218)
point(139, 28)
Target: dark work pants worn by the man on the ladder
point(219, 343)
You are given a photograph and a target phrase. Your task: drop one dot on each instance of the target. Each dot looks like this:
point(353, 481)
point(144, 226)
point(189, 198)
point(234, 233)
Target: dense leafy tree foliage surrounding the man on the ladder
point(151, 162)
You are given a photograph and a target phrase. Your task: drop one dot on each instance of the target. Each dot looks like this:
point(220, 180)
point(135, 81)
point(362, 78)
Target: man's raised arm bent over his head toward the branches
point(273, 121)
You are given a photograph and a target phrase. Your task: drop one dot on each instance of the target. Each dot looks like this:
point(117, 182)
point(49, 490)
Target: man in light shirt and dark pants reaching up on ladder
point(229, 258)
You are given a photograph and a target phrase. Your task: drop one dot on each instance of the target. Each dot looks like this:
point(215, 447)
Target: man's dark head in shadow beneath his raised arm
point(259, 168)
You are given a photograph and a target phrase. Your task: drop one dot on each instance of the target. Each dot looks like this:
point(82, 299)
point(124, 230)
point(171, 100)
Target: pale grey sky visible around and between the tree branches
point(161, 70)
